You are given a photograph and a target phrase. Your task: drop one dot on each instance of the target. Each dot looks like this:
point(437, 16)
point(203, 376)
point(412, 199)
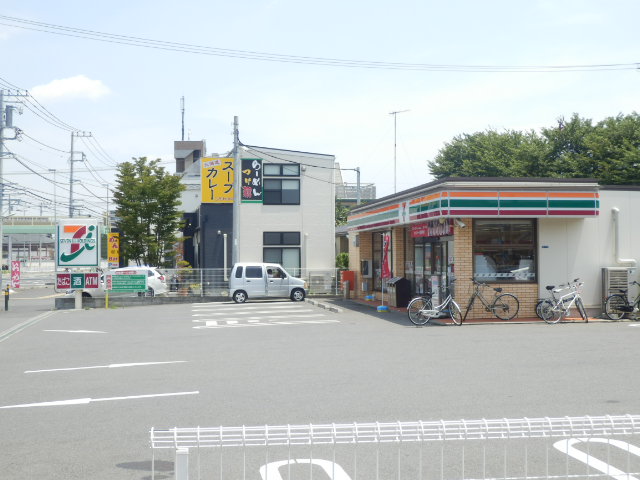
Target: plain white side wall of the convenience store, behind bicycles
point(570, 248)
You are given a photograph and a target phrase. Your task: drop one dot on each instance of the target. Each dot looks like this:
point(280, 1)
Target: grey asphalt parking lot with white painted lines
point(81, 389)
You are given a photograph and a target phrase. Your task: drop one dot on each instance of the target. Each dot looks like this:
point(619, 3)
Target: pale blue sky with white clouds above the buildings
point(128, 96)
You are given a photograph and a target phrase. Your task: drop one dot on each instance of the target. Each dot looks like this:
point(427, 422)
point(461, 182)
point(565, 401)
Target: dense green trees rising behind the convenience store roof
point(608, 151)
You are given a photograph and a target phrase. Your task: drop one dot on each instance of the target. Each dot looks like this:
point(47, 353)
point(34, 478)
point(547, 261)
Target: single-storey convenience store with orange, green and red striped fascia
point(520, 234)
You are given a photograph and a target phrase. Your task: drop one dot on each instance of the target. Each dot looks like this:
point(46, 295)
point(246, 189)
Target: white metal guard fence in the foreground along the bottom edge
point(524, 448)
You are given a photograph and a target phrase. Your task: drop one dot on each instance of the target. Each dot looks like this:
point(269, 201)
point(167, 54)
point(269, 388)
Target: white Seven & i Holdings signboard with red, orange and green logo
point(78, 243)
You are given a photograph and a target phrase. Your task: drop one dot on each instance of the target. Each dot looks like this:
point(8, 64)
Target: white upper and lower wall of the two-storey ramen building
point(314, 218)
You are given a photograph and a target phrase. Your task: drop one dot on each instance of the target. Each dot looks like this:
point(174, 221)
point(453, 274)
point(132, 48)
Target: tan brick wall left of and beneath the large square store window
point(527, 293)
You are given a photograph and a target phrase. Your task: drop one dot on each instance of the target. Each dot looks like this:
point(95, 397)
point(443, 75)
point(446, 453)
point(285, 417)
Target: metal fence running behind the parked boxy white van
point(215, 281)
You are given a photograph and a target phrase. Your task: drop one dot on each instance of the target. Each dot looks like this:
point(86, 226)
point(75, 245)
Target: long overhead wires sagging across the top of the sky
point(295, 59)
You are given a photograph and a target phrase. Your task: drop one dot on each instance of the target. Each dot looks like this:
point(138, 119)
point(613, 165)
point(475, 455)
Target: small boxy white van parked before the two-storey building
point(254, 280)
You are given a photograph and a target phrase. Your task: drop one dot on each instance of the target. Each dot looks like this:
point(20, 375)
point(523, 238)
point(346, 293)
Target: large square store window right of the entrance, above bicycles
point(504, 250)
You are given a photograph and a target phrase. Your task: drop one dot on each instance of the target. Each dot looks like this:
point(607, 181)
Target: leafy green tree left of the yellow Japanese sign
point(147, 200)
